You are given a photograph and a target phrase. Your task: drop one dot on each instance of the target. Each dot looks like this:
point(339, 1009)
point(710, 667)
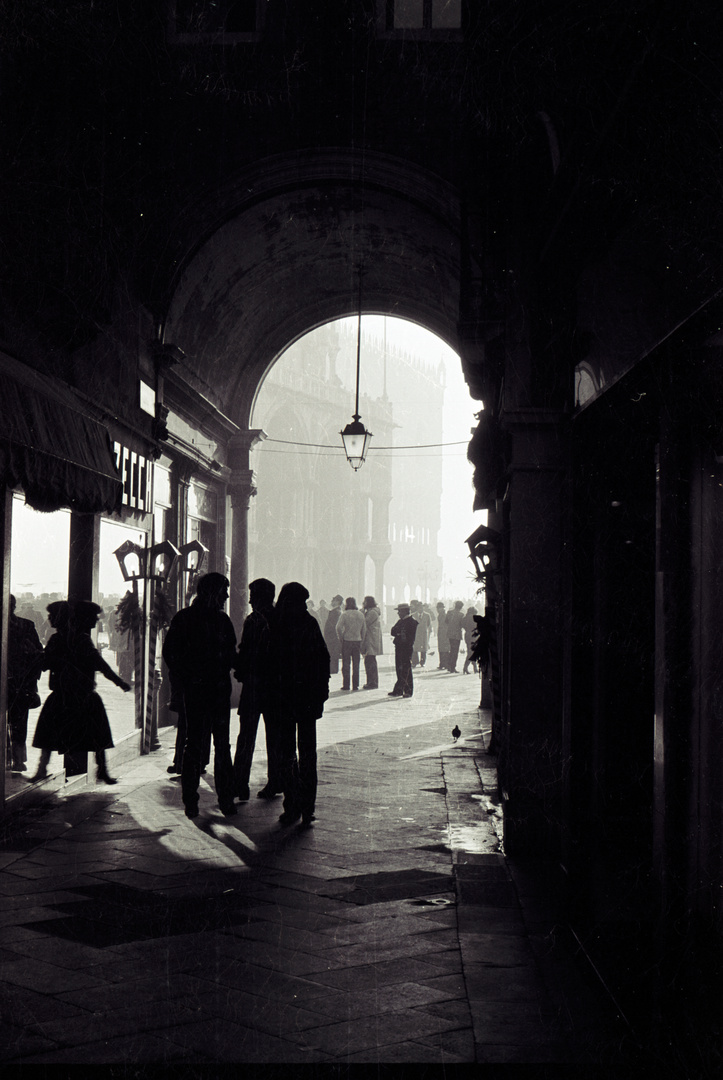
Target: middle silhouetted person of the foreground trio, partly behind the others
point(250, 671)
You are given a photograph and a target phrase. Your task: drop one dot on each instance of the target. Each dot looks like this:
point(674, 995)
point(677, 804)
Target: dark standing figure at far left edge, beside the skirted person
point(24, 666)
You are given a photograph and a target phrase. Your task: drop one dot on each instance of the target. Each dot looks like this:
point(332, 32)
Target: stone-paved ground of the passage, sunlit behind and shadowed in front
point(391, 933)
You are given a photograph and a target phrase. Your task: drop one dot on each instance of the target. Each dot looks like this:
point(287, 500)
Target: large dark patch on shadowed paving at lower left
point(118, 915)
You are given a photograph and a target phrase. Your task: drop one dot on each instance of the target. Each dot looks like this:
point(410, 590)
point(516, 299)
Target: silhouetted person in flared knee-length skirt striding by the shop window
point(74, 719)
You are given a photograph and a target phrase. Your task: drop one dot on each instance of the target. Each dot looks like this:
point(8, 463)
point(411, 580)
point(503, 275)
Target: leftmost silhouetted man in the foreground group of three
point(200, 653)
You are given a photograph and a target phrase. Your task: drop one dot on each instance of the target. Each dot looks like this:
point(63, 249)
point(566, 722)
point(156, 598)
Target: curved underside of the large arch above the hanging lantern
point(289, 261)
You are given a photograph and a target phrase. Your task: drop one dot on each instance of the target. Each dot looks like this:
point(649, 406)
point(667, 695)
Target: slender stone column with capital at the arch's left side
point(242, 489)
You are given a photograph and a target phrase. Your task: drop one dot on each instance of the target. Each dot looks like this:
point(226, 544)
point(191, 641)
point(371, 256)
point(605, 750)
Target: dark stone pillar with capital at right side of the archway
point(531, 759)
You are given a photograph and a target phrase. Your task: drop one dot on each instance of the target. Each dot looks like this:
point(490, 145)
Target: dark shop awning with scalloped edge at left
point(59, 456)
